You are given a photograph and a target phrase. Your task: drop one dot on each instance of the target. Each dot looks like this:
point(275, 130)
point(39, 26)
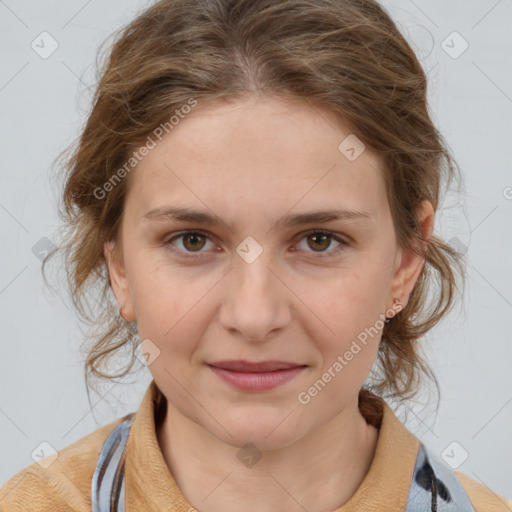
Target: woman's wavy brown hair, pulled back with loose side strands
point(346, 55)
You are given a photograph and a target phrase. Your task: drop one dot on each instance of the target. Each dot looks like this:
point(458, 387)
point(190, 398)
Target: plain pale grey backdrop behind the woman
point(466, 49)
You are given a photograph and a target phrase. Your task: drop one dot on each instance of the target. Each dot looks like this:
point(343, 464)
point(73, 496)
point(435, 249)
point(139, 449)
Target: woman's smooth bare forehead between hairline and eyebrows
point(255, 154)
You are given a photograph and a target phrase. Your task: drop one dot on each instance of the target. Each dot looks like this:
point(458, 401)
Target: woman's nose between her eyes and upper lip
point(256, 303)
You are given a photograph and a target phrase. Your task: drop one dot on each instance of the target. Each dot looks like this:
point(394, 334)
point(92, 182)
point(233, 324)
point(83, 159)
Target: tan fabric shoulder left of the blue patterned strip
point(58, 482)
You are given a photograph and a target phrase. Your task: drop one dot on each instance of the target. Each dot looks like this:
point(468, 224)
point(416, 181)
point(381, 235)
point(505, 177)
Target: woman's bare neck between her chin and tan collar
point(335, 458)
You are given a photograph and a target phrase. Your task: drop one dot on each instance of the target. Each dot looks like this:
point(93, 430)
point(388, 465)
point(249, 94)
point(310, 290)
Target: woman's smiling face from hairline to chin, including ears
point(261, 281)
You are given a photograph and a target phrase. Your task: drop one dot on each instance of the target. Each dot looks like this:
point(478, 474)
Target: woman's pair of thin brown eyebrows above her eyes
point(206, 219)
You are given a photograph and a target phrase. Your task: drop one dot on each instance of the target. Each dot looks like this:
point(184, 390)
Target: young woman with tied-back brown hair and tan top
point(257, 184)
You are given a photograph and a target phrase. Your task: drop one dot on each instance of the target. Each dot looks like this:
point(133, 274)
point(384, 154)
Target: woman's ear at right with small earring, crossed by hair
point(409, 264)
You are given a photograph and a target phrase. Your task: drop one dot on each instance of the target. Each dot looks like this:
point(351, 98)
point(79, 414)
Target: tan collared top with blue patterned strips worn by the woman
point(65, 484)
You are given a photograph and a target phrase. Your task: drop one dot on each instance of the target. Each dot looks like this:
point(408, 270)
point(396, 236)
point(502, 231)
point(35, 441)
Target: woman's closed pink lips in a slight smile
point(257, 376)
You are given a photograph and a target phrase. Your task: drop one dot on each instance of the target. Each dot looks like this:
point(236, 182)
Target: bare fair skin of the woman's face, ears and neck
point(250, 163)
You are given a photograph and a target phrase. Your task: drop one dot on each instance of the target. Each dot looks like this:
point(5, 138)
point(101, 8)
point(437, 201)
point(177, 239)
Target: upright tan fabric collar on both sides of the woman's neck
point(150, 485)
